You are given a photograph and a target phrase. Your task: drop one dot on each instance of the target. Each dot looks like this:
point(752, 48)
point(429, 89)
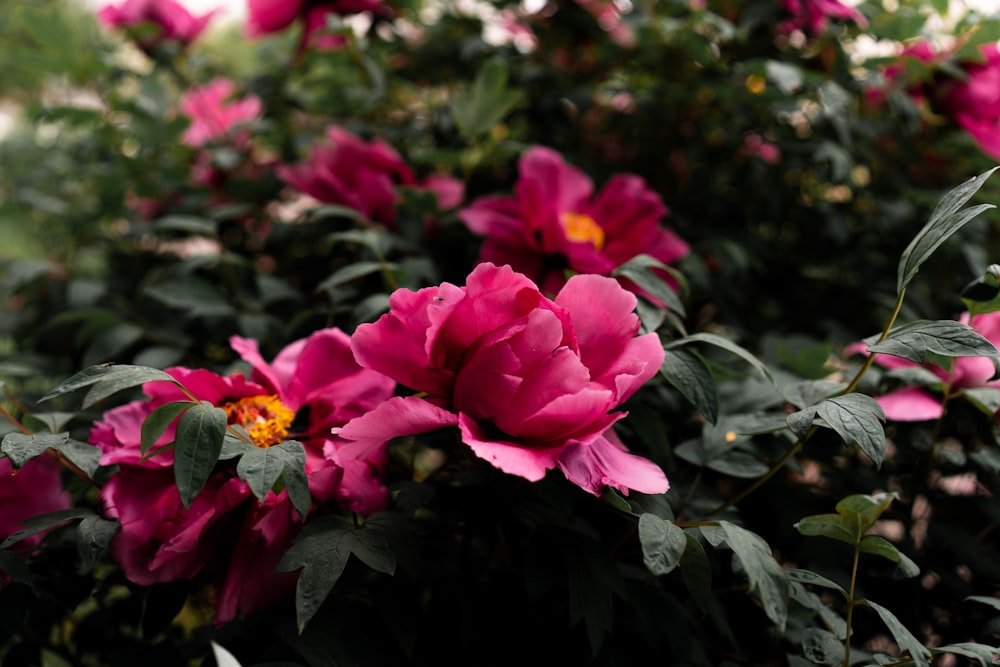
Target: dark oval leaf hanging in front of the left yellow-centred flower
point(197, 446)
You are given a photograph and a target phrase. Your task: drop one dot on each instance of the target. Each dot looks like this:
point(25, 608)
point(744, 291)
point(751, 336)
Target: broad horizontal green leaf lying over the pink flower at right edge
point(947, 338)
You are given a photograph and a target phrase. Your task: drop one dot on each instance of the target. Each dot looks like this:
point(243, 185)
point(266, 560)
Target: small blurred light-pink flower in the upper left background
point(214, 114)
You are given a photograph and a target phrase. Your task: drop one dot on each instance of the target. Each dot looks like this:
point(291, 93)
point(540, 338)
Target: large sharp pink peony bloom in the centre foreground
point(530, 382)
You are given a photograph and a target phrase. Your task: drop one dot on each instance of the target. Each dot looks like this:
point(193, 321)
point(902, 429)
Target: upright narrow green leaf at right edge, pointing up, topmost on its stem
point(946, 219)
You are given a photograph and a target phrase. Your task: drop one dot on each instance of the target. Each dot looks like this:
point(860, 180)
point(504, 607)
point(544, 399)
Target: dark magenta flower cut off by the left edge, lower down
point(33, 490)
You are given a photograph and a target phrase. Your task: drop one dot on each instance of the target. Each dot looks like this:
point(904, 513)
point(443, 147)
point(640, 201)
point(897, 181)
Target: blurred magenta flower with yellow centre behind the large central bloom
point(554, 223)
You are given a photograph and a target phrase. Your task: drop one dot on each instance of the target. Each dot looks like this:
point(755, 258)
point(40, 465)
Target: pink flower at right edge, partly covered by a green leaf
point(923, 403)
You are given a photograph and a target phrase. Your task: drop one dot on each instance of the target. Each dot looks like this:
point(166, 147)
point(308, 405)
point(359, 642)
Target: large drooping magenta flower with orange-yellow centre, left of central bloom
point(313, 385)
